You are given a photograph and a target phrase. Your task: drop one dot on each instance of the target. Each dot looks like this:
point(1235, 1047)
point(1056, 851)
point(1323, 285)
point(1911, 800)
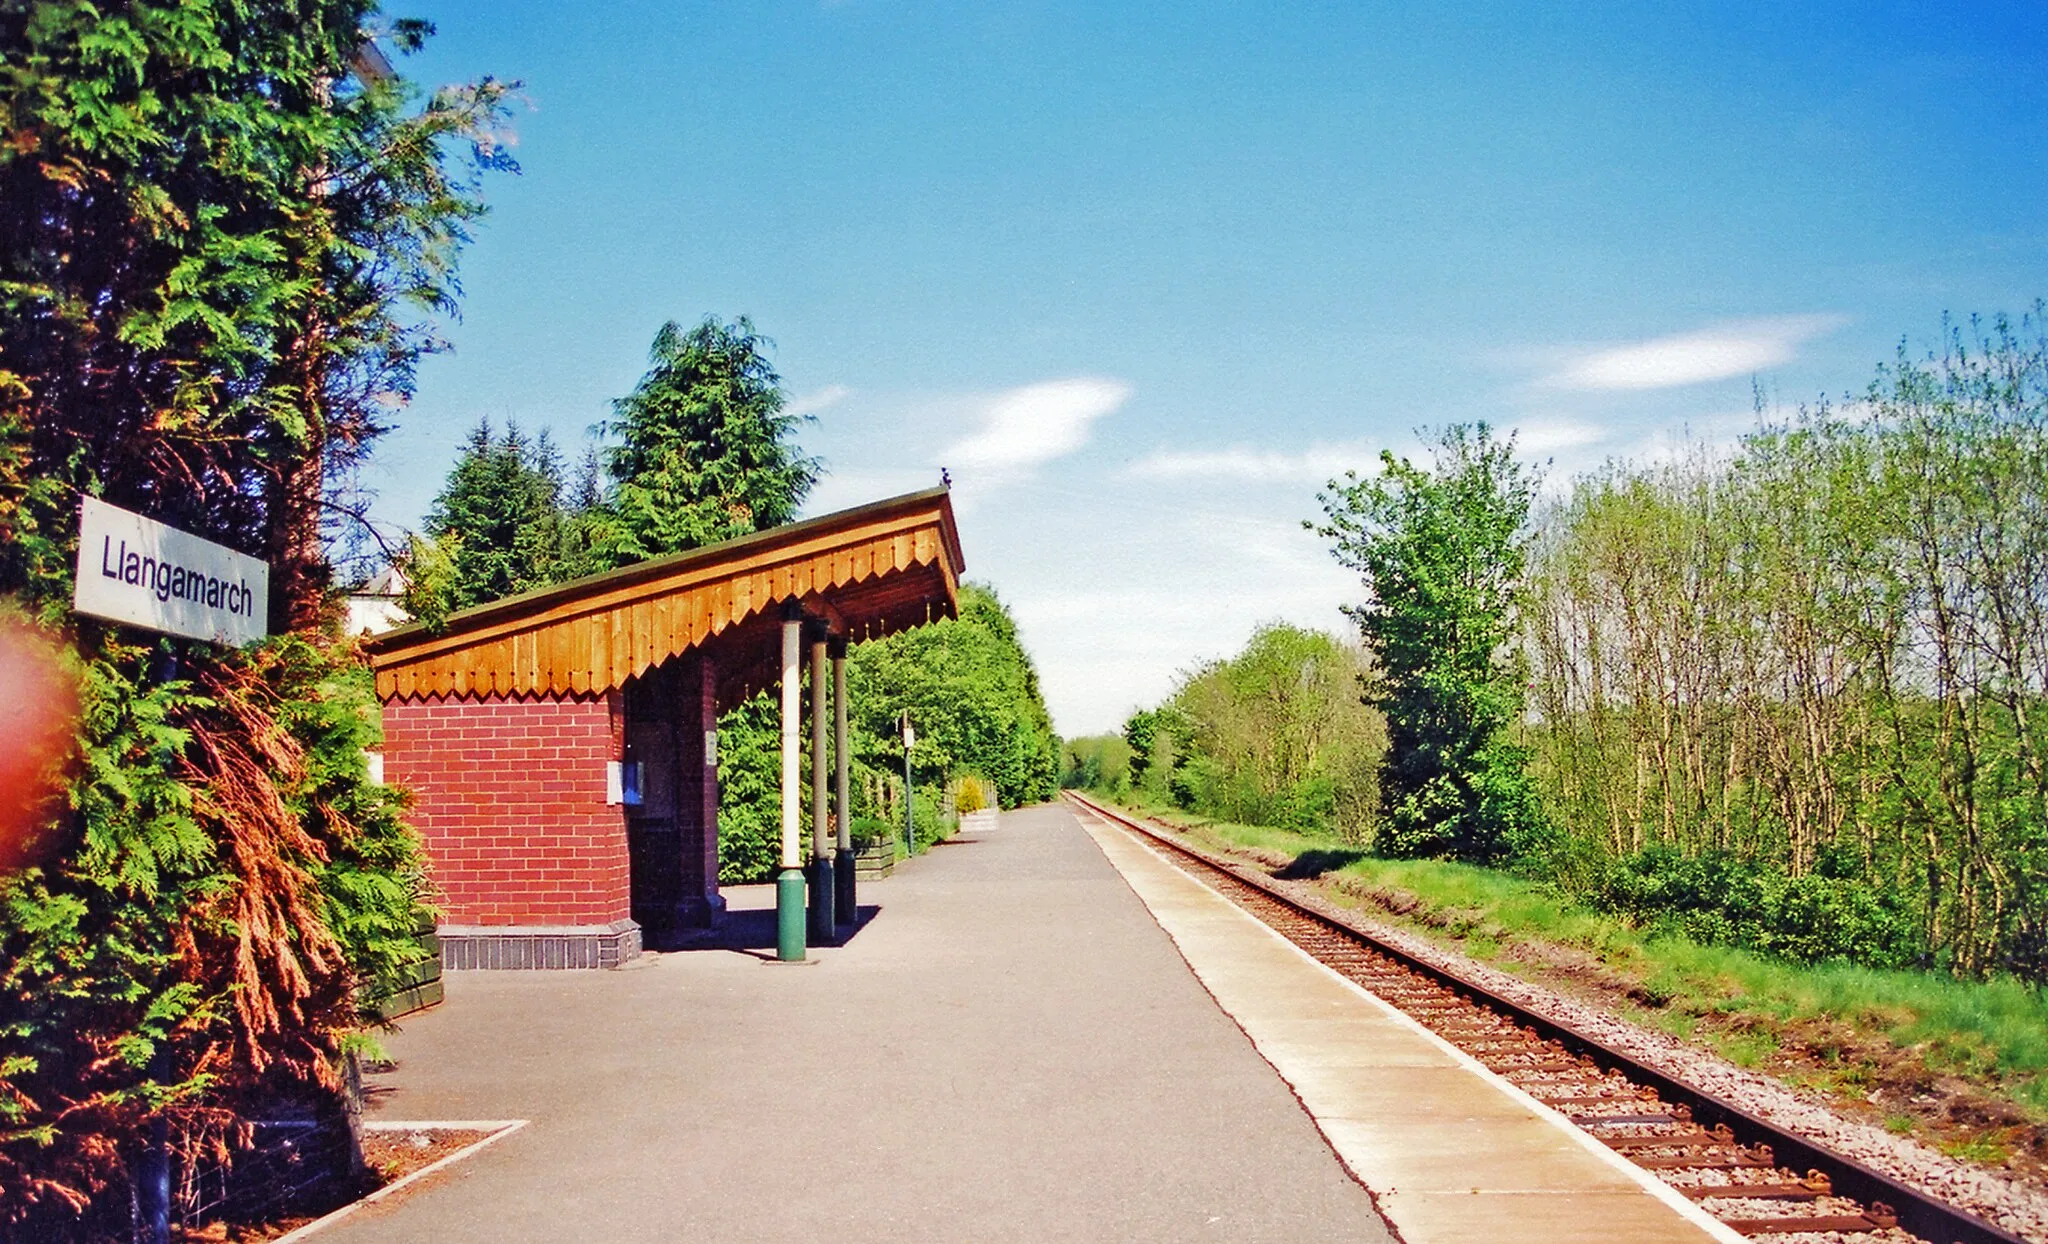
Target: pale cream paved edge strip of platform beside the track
point(1451, 1153)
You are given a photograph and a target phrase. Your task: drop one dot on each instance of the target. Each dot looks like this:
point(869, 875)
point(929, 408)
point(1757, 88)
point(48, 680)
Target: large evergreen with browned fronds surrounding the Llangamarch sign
point(220, 257)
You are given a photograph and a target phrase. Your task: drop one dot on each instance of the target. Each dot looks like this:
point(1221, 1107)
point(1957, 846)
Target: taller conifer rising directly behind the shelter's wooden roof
point(706, 452)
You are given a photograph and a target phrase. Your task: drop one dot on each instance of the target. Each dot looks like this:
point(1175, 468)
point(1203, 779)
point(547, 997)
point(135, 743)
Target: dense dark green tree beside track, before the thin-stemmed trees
point(1443, 552)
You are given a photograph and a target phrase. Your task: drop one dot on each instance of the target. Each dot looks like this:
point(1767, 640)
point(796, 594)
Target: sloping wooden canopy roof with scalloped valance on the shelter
point(859, 573)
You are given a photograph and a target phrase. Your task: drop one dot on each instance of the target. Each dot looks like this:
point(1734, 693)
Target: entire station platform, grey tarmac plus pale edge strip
point(1011, 1048)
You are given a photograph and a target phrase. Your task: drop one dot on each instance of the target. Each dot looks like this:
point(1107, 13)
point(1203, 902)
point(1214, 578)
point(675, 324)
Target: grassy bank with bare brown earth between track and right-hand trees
point(1965, 1065)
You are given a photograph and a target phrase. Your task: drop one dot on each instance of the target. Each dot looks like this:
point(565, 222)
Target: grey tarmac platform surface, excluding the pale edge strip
point(1011, 1048)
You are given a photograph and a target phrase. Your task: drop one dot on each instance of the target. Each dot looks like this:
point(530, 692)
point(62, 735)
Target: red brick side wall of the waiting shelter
point(511, 802)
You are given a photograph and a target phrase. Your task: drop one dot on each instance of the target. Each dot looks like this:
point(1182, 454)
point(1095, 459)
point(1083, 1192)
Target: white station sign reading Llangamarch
point(142, 573)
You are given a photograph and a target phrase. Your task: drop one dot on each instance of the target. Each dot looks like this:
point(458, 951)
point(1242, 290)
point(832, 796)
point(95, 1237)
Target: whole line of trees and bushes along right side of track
point(1789, 696)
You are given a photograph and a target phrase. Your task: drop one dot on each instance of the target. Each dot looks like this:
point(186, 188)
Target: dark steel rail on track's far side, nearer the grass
point(1916, 1212)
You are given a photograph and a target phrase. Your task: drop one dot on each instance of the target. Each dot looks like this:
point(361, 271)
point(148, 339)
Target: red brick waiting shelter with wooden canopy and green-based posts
point(562, 745)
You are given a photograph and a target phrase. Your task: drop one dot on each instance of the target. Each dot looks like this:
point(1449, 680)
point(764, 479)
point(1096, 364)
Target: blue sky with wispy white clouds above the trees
point(1146, 276)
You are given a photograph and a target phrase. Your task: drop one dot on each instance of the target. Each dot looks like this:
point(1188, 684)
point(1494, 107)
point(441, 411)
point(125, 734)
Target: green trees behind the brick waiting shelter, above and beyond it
point(703, 452)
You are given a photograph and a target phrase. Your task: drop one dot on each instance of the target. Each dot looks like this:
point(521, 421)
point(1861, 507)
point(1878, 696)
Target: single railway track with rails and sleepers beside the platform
point(1752, 1175)
